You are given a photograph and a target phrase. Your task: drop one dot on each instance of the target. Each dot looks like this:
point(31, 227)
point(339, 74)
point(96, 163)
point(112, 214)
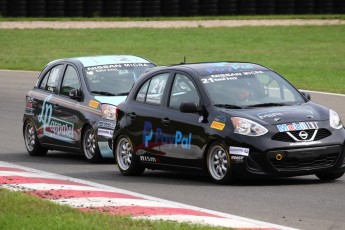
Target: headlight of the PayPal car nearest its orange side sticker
point(247, 127)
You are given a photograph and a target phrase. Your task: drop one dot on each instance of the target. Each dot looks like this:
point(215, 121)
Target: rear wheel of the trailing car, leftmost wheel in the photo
point(32, 144)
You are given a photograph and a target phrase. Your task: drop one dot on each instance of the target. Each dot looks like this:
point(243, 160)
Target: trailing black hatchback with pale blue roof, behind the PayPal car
point(72, 107)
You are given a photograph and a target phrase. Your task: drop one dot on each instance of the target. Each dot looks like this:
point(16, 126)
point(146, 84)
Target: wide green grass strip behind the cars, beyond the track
point(311, 57)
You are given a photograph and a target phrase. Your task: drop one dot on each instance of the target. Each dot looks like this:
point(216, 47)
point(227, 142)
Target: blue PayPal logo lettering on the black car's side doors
point(177, 139)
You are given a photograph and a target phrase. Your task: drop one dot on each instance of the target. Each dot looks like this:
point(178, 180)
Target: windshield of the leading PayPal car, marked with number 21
point(245, 89)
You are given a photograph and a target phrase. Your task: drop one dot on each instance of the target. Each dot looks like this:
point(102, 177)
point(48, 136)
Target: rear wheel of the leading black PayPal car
point(127, 162)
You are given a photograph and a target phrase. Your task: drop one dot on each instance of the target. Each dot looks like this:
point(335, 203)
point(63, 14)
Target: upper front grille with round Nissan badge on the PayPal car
point(288, 136)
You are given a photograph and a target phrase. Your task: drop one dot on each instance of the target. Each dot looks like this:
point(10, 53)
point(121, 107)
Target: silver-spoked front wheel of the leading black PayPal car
point(218, 164)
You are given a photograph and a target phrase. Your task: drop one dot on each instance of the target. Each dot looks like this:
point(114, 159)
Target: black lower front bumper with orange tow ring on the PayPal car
point(292, 162)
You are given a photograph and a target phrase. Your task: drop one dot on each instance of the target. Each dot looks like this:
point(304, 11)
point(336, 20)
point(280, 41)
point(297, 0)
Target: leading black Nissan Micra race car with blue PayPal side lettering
point(229, 120)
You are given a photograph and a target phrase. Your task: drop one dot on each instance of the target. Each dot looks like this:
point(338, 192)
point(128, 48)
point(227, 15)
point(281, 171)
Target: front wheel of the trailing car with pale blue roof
point(89, 146)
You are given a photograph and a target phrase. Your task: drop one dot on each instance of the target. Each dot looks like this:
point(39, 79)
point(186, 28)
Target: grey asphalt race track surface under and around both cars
point(302, 202)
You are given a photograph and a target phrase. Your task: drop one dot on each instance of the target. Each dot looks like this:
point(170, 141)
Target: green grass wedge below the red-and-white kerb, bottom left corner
point(21, 211)
